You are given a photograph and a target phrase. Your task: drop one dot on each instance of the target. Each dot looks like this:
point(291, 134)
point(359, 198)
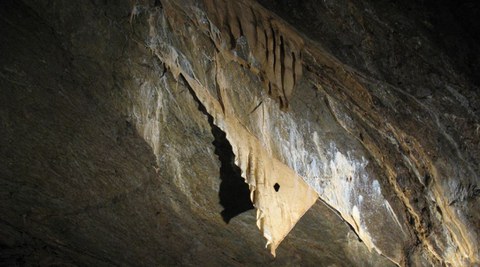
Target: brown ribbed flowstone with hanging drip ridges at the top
point(259, 41)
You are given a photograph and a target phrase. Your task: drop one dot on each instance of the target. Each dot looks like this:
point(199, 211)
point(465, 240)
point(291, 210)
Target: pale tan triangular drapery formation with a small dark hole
point(277, 211)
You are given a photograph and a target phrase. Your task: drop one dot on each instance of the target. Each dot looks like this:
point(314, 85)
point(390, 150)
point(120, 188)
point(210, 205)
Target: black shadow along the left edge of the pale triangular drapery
point(234, 193)
